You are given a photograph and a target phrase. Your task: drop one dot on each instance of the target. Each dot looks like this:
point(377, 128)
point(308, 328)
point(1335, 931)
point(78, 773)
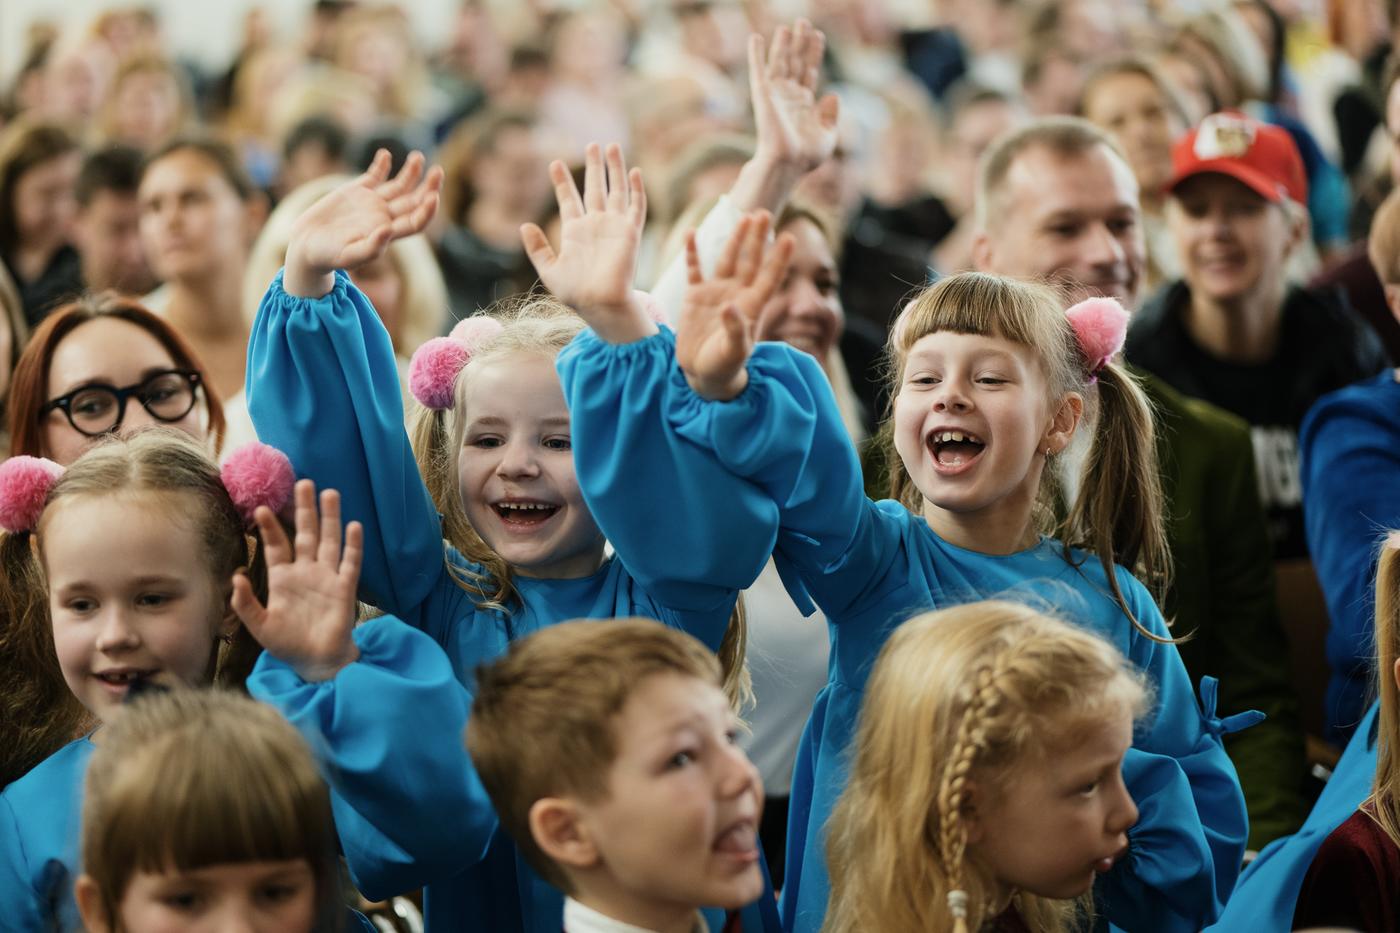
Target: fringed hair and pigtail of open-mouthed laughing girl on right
point(1118, 513)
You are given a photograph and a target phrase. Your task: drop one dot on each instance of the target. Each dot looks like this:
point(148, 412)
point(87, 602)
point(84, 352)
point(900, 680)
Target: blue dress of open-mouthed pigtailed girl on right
point(873, 565)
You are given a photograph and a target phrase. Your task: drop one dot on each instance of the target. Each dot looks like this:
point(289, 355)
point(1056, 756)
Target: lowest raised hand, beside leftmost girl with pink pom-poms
point(311, 588)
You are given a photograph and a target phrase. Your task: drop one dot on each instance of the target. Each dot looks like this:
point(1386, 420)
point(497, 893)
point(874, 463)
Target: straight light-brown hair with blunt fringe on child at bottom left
point(194, 778)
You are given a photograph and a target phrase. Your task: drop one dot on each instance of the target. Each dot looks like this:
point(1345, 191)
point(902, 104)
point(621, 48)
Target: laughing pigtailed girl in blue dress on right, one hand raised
point(990, 382)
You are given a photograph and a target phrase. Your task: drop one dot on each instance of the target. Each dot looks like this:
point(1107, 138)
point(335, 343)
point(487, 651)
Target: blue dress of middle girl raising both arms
point(323, 387)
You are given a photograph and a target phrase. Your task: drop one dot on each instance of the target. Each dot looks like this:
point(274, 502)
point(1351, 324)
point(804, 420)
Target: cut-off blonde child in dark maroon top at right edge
point(1354, 880)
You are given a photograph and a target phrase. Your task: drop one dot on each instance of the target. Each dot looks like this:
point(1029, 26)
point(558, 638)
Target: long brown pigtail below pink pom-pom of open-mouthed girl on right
point(1118, 515)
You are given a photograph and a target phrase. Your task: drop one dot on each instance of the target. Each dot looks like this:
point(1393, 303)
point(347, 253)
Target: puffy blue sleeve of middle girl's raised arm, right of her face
point(684, 526)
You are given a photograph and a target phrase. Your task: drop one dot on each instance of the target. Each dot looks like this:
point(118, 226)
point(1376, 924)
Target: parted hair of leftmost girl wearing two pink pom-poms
point(40, 712)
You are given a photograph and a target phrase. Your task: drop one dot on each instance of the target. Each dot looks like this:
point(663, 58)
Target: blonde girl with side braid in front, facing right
point(986, 789)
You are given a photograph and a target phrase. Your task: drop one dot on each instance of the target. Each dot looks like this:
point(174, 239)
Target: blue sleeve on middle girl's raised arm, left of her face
point(324, 389)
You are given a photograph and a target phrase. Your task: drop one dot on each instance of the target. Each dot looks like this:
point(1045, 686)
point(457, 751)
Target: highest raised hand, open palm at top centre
point(793, 124)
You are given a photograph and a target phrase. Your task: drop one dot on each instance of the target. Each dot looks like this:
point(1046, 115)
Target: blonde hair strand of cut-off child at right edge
point(1387, 796)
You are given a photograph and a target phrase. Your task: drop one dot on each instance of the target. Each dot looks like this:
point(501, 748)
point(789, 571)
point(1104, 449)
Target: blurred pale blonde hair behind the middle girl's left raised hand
point(425, 293)
